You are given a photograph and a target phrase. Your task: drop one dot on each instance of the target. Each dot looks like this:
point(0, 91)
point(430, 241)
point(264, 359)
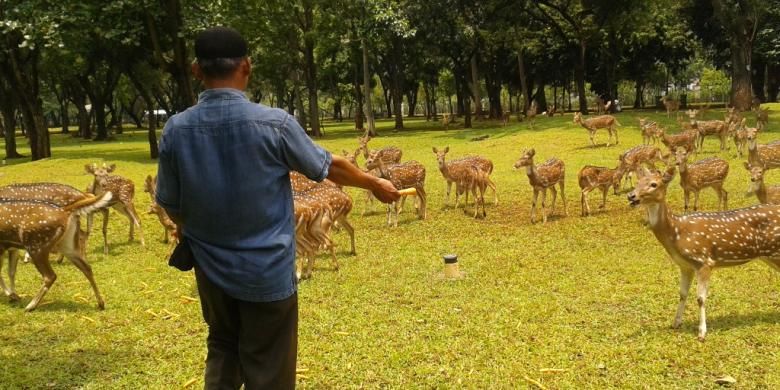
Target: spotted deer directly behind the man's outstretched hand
point(410, 174)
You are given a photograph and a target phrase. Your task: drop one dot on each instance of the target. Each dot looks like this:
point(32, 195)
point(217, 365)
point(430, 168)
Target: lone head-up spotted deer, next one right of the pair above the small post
point(542, 177)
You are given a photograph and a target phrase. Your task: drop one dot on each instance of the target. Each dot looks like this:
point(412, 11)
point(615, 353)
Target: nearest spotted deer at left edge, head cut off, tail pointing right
point(40, 228)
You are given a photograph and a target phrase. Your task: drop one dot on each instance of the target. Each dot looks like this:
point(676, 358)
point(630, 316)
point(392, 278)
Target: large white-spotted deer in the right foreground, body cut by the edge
point(702, 242)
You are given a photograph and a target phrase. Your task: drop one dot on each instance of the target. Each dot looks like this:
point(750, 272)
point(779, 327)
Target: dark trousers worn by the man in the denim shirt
point(250, 343)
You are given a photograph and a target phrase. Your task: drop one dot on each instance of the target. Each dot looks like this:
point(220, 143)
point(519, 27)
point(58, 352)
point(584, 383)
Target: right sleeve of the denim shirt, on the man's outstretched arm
point(301, 154)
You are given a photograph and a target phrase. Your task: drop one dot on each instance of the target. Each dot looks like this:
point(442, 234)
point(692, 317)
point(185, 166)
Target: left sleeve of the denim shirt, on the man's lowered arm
point(168, 185)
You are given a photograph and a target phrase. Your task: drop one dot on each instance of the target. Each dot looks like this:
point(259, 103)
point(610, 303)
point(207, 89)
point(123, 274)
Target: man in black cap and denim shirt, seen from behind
point(223, 177)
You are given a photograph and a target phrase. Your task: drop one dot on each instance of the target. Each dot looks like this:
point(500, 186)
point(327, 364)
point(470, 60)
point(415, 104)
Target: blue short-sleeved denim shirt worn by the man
point(224, 171)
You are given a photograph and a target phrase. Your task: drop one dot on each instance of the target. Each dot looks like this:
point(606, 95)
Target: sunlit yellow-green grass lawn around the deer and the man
point(592, 296)
